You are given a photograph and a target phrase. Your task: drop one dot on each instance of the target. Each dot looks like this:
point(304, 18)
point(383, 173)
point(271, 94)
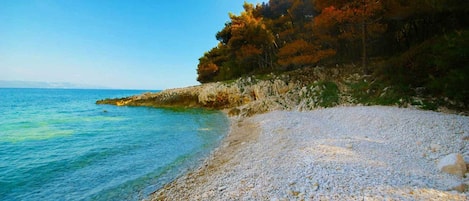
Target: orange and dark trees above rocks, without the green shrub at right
point(287, 34)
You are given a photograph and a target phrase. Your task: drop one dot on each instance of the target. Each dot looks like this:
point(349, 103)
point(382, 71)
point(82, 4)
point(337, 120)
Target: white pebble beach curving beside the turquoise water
point(325, 154)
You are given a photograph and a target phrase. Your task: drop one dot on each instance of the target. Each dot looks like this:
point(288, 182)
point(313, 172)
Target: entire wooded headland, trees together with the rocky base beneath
point(305, 54)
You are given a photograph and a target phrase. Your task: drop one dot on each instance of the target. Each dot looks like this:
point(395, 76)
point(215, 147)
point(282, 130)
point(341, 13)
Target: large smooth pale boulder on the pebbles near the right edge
point(453, 164)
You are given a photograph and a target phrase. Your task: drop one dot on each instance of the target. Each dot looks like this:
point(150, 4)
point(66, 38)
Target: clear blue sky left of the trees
point(122, 44)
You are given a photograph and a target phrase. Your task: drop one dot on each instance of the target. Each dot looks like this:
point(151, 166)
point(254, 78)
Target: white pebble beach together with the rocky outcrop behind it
point(284, 145)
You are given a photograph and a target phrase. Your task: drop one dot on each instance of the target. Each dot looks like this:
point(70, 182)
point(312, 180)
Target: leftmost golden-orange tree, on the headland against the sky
point(246, 45)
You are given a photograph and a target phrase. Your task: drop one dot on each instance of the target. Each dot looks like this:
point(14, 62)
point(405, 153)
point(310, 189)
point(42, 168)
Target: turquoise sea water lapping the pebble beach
point(57, 144)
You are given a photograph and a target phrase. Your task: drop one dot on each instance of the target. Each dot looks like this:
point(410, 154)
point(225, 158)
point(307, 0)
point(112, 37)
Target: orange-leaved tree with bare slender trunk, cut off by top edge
point(349, 21)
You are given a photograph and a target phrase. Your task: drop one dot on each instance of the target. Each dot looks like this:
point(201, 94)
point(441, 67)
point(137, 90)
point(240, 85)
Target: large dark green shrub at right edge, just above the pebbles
point(440, 65)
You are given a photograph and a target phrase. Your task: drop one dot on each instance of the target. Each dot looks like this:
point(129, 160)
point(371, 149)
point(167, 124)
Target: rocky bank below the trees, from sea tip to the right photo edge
point(302, 89)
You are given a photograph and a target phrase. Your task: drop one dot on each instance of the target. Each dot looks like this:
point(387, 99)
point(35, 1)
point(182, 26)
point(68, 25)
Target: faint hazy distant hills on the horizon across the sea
point(33, 84)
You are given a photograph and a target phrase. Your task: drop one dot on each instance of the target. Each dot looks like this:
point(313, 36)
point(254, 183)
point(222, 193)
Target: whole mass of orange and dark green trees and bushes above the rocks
point(419, 44)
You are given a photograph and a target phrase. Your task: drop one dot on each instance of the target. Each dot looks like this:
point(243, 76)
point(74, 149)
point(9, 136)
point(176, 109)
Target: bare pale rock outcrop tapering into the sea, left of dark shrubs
point(303, 89)
